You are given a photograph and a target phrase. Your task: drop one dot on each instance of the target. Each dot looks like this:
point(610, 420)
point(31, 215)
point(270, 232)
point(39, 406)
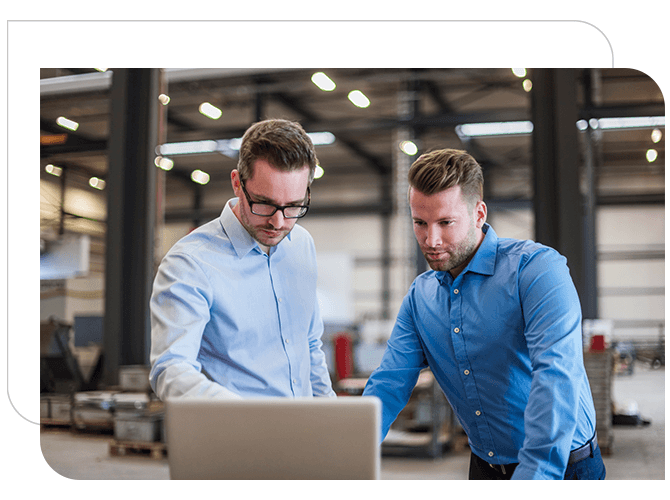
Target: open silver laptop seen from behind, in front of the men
point(273, 438)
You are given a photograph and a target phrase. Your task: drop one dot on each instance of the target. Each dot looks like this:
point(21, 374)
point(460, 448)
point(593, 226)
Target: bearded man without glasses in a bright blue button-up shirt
point(498, 322)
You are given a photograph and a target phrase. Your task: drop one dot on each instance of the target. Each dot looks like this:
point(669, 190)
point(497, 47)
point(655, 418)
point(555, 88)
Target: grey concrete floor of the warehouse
point(638, 452)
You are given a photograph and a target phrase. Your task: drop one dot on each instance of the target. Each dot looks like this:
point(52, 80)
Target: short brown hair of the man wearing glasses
point(282, 143)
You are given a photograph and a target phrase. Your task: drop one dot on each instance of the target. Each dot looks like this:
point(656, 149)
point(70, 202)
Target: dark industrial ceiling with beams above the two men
point(425, 105)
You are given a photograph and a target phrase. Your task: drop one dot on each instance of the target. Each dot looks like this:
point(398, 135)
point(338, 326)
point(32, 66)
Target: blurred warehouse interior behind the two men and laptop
point(131, 160)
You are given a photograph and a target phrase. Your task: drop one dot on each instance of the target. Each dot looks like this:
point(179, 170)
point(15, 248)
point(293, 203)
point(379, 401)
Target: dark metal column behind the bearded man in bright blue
point(558, 198)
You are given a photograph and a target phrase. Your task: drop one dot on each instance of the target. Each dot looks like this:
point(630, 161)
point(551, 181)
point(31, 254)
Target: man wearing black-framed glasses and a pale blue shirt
point(234, 312)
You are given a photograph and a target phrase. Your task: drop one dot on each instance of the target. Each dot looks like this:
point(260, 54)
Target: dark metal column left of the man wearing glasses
point(131, 212)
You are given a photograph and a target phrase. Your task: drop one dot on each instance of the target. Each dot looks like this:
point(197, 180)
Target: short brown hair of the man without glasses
point(445, 168)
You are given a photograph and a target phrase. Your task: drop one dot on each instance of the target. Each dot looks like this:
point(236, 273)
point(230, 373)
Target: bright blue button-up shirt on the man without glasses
point(503, 340)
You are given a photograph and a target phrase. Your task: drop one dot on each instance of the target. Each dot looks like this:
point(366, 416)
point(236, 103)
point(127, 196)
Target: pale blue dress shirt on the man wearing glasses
point(229, 320)
